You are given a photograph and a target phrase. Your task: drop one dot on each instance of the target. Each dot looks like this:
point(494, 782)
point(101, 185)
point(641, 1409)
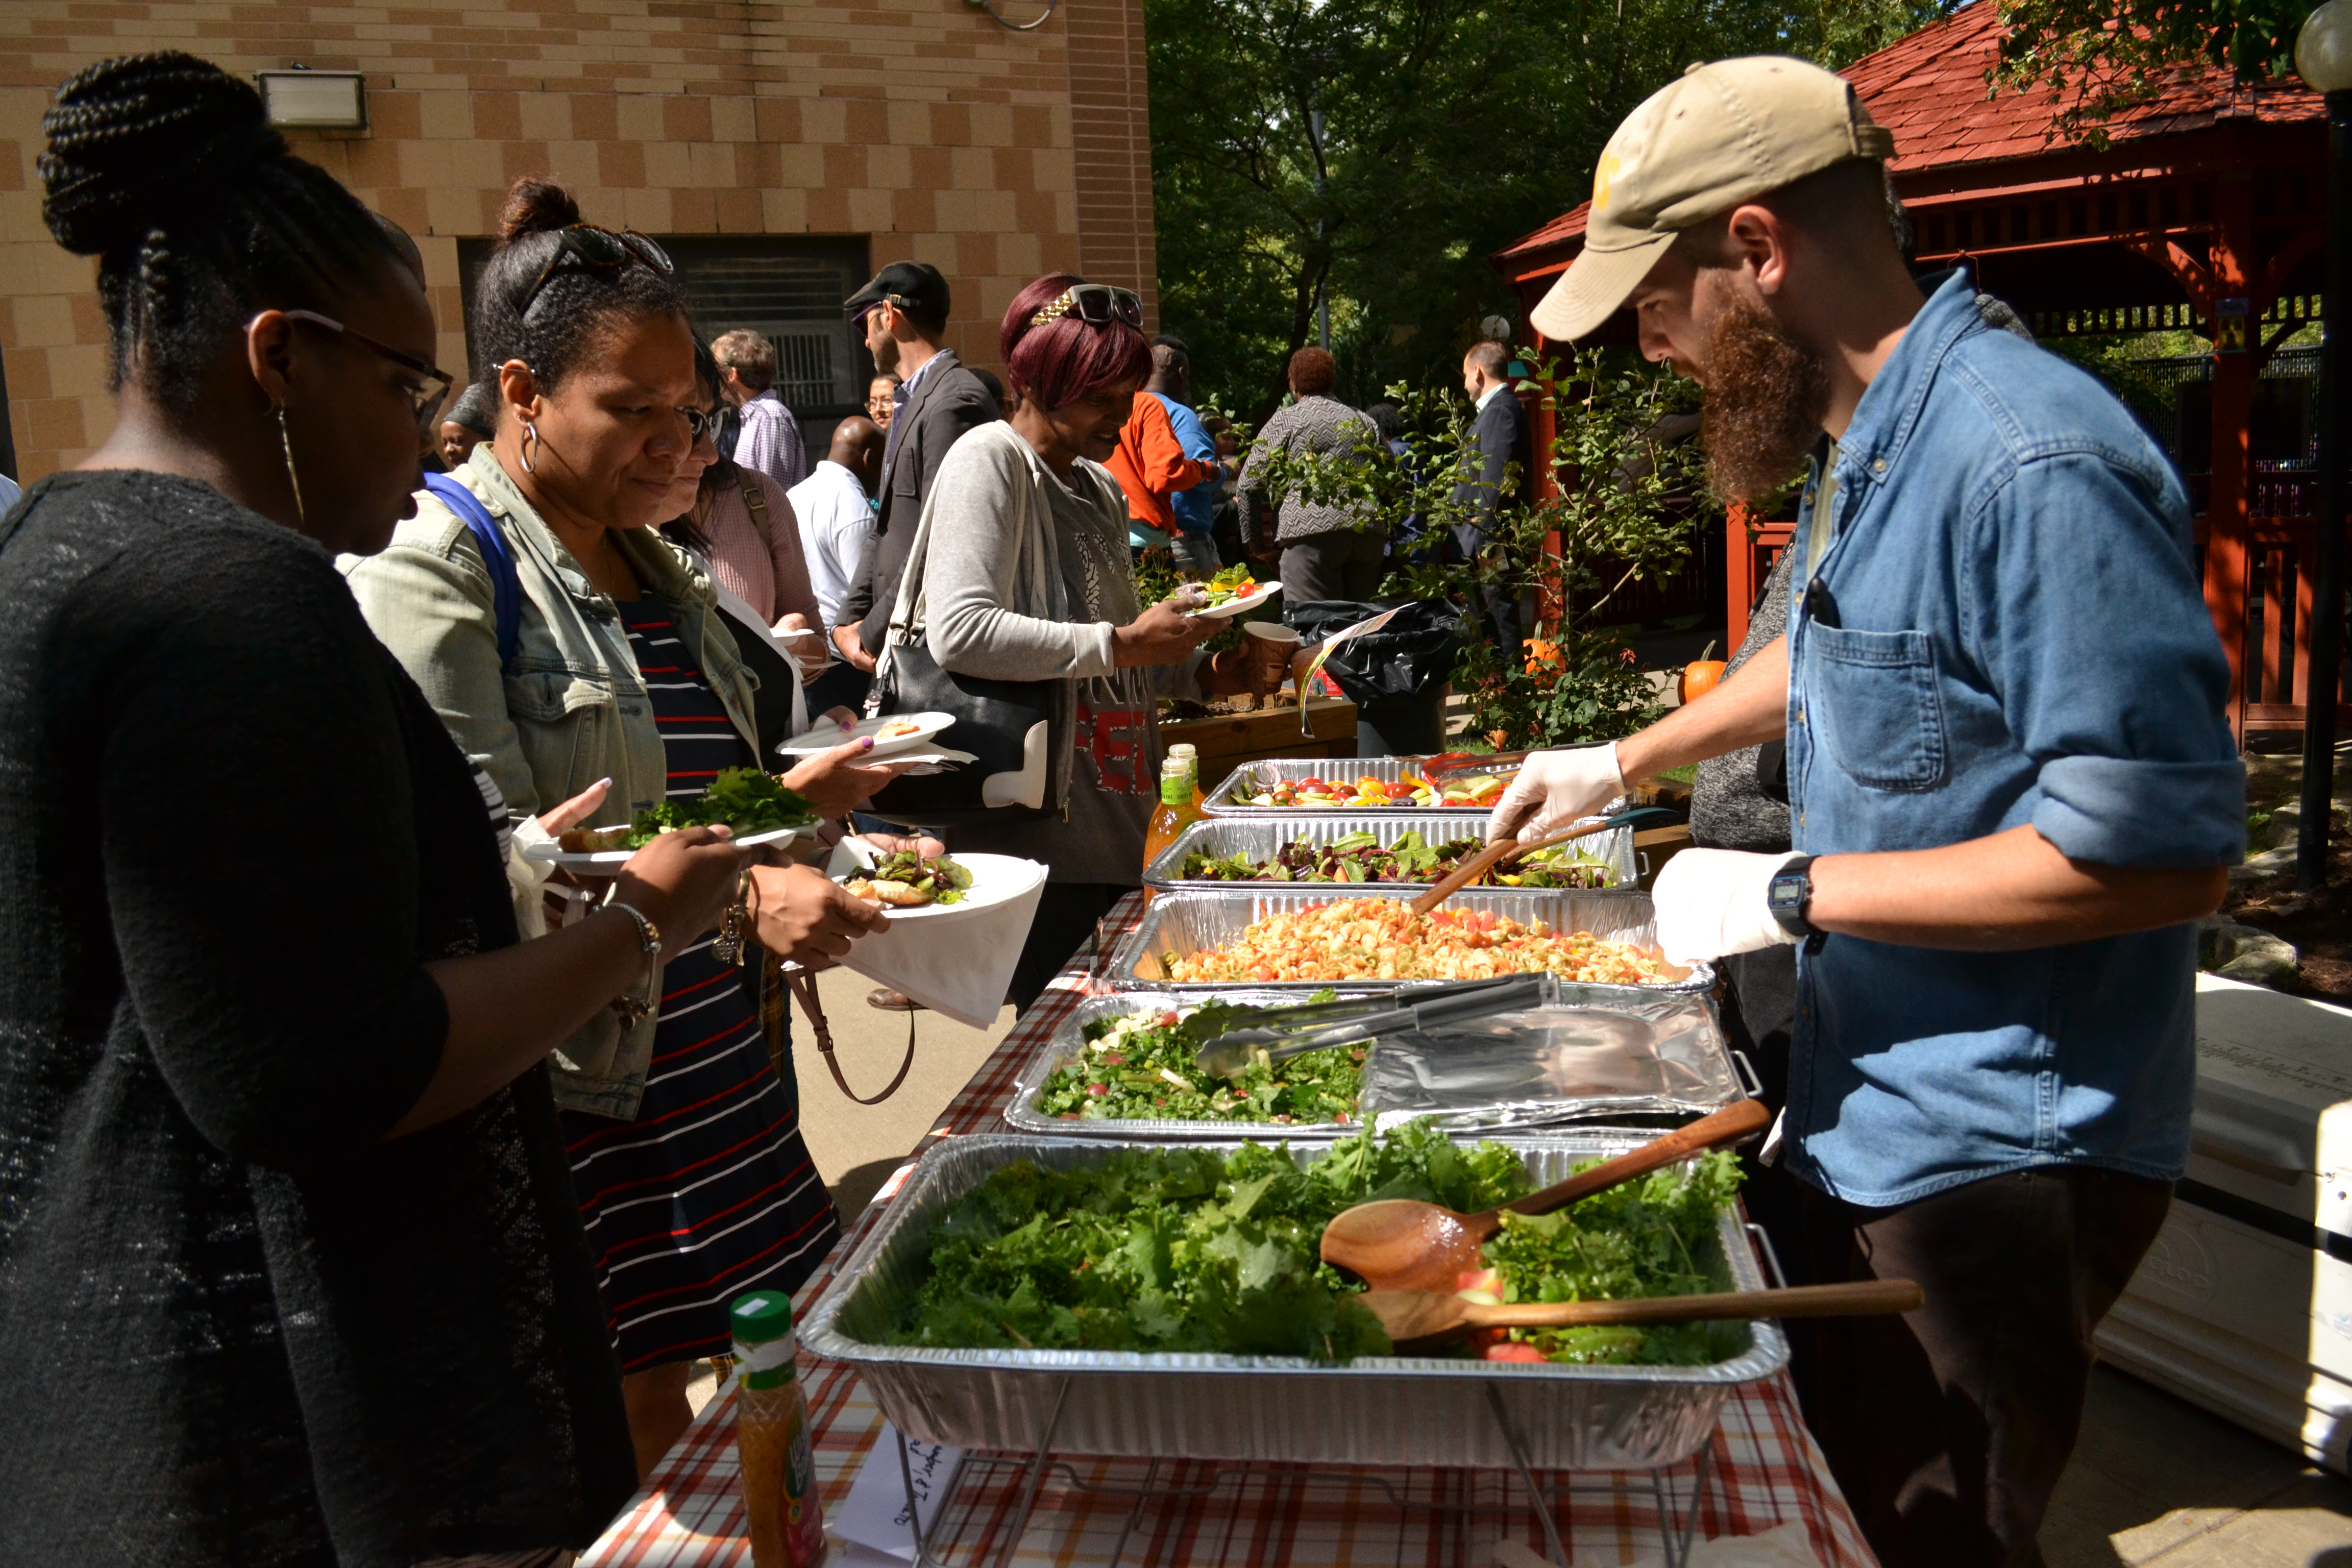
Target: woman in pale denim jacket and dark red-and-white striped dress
point(686, 1146)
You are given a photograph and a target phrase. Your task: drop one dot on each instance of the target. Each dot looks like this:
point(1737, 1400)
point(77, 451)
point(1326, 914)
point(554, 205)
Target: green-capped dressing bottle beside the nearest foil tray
point(773, 1438)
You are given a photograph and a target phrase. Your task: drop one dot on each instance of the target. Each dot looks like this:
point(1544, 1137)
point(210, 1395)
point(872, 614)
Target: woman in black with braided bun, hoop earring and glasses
point(290, 1261)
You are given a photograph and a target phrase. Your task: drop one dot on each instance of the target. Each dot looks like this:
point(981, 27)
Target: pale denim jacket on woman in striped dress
point(568, 711)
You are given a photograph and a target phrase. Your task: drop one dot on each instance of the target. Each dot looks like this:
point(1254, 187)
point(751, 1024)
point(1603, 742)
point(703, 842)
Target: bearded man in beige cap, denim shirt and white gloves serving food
point(2010, 772)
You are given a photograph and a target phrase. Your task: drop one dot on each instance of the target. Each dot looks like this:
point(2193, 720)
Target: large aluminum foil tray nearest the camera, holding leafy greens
point(1208, 1407)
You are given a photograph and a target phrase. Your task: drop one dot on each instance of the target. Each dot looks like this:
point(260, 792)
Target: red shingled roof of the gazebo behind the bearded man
point(1930, 91)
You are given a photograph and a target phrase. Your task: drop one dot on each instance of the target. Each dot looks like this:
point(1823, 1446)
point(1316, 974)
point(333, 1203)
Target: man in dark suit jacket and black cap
point(907, 316)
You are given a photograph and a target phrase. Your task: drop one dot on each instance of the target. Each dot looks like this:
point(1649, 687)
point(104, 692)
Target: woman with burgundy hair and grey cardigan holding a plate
point(1027, 577)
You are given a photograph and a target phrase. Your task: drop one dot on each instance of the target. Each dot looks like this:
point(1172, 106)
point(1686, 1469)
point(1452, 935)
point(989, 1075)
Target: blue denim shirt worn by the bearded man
point(2007, 629)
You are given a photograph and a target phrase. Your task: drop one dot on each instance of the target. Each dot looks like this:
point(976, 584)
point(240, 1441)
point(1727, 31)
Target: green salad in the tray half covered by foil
point(1142, 1068)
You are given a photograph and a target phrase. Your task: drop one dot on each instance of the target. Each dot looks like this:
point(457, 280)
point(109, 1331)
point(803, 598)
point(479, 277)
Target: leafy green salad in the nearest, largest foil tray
point(1203, 1252)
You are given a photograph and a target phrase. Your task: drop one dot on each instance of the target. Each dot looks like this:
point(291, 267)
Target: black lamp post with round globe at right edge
point(2325, 65)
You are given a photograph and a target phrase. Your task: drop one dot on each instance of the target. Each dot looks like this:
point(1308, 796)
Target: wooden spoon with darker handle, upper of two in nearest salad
point(1405, 1245)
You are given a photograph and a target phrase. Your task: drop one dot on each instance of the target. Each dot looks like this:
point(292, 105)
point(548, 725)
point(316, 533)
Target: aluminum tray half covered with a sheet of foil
point(1586, 1052)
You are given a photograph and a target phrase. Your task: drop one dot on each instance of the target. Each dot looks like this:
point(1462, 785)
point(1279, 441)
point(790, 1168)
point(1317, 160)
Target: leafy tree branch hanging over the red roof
point(2109, 58)
